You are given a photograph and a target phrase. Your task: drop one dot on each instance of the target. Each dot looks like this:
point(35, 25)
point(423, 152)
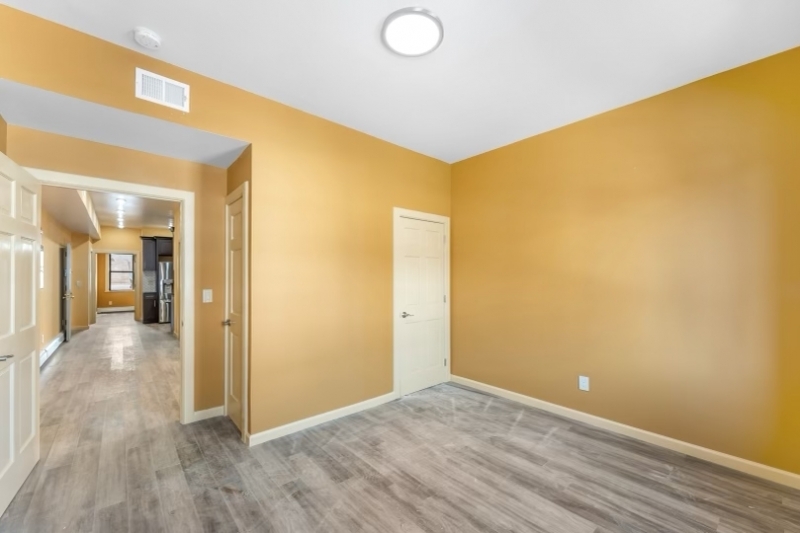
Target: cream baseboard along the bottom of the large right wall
point(735, 463)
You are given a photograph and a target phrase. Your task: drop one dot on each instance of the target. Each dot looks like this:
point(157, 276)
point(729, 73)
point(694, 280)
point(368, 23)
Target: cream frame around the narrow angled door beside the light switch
point(243, 192)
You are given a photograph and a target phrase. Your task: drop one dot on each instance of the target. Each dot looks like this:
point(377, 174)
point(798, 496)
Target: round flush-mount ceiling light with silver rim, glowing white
point(412, 32)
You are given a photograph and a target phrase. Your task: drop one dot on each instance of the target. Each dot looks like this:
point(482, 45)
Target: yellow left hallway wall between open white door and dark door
point(48, 301)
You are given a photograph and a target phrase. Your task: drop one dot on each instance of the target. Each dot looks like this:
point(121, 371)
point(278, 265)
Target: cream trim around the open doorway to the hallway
point(187, 201)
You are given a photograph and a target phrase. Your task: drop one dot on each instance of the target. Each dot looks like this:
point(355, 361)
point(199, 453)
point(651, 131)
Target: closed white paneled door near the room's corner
point(421, 307)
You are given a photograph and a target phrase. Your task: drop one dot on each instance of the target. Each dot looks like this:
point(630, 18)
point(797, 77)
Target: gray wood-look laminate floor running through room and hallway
point(114, 458)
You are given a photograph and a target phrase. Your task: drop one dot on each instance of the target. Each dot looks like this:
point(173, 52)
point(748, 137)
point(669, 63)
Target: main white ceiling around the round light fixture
point(506, 70)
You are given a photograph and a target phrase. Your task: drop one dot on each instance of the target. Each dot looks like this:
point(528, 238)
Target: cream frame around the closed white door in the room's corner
point(397, 214)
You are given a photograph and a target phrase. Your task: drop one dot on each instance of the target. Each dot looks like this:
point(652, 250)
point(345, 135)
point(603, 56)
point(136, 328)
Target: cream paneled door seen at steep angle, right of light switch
point(236, 309)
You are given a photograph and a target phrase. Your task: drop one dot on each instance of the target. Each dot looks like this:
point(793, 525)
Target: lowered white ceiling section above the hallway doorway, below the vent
point(23, 105)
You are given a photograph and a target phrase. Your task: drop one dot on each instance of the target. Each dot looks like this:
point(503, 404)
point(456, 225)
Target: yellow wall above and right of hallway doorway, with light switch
point(37, 149)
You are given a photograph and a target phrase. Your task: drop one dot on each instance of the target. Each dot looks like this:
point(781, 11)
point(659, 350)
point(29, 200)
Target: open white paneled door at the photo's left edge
point(19, 362)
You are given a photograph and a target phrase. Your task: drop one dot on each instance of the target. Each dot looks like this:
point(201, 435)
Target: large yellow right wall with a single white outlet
point(655, 249)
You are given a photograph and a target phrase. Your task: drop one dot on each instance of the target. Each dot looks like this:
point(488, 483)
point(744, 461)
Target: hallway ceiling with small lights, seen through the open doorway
point(139, 212)
